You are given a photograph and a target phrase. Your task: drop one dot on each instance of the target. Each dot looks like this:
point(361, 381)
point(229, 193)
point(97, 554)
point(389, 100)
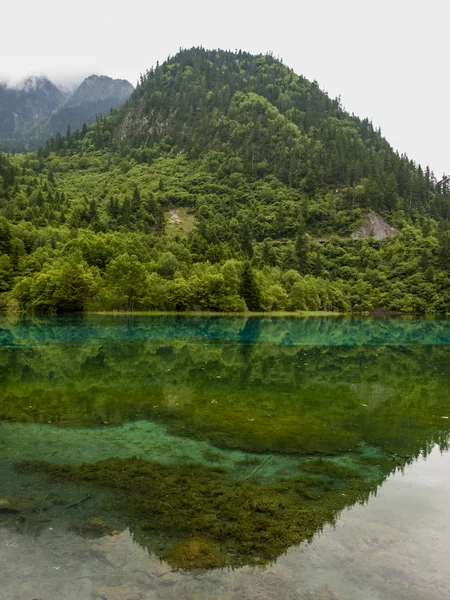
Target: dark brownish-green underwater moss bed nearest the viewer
point(246, 522)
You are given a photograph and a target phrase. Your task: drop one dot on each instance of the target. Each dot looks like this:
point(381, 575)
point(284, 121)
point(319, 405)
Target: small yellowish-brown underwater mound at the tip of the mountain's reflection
point(194, 553)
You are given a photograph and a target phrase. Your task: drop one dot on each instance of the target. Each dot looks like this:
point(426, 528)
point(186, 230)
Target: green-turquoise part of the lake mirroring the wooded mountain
point(212, 442)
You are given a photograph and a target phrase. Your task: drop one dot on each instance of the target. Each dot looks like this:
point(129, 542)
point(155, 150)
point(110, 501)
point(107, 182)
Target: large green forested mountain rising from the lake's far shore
point(225, 182)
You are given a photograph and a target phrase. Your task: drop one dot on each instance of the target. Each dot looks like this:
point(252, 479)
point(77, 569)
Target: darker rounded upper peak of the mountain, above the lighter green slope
point(257, 110)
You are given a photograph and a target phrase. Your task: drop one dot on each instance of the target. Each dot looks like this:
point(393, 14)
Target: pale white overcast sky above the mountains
point(388, 60)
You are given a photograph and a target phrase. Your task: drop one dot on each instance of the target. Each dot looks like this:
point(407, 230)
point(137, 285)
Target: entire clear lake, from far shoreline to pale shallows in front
point(205, 443)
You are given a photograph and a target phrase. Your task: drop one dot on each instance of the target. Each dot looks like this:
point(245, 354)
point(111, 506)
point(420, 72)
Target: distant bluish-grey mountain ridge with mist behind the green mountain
point(36, 109)
